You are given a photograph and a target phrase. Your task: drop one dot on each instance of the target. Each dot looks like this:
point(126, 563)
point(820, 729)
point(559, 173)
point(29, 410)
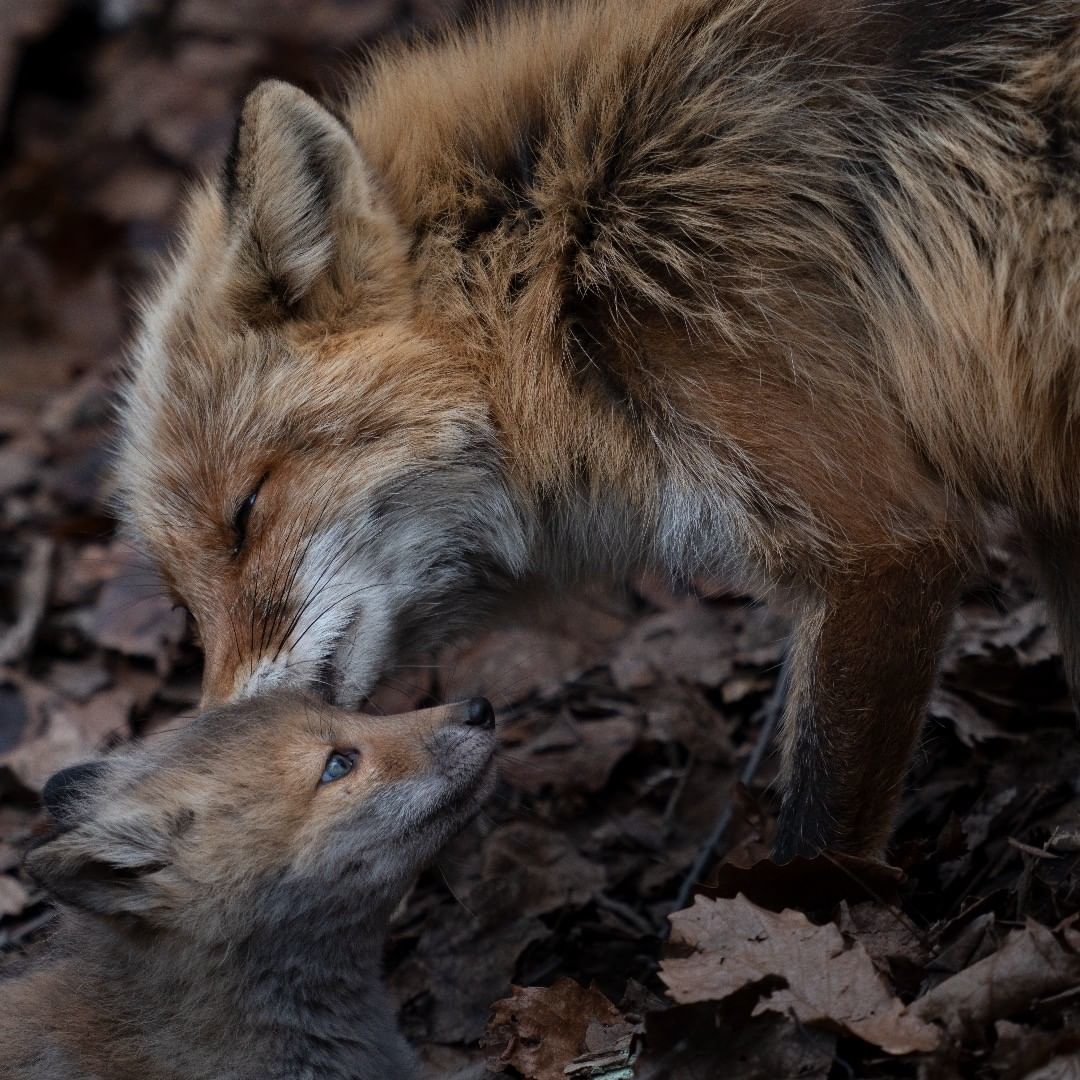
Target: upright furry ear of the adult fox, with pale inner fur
point(303, 206)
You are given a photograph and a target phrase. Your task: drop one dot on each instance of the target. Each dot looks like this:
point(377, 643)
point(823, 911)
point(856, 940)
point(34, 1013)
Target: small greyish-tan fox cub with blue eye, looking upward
point(226, 892)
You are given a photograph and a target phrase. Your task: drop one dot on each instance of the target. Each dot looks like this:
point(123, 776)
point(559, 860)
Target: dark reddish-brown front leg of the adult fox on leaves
point(863, 659)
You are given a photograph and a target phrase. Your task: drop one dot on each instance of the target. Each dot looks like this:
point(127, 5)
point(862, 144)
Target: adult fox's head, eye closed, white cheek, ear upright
point(314, 489)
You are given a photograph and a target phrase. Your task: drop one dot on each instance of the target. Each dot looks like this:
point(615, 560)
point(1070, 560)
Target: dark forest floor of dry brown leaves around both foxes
point(626, 719)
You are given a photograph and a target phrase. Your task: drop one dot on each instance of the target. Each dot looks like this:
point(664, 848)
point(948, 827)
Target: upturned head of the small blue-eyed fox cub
point(264, 814)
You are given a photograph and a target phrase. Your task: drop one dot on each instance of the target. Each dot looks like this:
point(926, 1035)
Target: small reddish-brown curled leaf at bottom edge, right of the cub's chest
point(543, 1030)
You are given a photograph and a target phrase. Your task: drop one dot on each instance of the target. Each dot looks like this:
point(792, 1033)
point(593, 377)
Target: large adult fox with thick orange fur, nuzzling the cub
point(779, 290)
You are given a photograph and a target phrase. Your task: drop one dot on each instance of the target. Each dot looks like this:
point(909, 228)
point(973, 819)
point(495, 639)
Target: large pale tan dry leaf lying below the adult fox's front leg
point(735, 944)
